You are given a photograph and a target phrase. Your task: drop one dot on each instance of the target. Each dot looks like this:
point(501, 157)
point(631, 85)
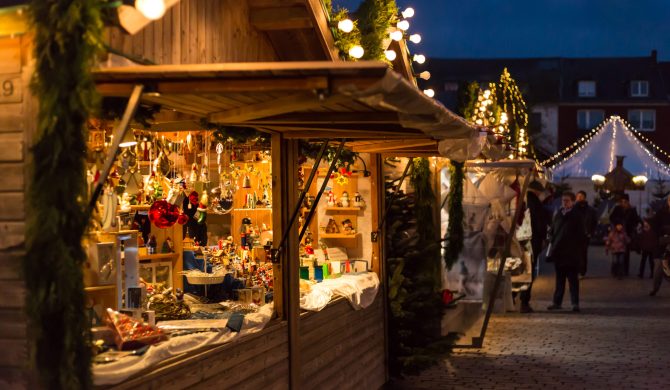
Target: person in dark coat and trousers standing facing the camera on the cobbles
point(567, 233)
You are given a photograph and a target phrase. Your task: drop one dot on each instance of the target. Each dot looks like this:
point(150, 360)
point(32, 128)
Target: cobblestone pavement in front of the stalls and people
point(620, 340)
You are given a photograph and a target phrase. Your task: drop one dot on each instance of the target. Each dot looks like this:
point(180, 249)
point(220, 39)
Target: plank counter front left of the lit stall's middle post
point(253, 362)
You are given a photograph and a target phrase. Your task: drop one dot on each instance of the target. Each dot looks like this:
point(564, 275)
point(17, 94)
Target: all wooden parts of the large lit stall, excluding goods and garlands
point(208, 73)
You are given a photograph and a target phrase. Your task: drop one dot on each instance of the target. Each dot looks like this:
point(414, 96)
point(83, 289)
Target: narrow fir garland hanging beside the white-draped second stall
point(455, 233)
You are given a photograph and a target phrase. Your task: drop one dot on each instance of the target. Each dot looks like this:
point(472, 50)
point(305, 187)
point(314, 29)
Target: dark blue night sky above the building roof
point(538, 28)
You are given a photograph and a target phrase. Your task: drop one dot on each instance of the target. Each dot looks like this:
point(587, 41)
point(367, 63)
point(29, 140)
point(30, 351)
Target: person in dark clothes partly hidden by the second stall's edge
point(539, 222)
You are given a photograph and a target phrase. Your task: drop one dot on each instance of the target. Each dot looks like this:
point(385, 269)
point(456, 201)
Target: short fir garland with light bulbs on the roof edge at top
point(375, 17)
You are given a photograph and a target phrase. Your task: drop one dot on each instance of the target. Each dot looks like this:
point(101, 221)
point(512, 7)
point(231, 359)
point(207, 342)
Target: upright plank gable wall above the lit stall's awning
point(198, 32)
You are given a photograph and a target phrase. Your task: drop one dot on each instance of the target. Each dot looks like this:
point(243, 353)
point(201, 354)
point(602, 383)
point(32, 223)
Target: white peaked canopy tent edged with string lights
point(597, 156)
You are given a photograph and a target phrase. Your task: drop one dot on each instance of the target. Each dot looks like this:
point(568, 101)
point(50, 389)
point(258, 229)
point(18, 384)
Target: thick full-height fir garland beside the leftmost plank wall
point(67, 38)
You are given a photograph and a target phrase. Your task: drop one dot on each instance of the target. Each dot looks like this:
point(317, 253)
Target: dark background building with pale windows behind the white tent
point(569, 96)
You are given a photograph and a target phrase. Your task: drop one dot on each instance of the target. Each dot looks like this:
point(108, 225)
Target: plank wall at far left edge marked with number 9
point(17, 123)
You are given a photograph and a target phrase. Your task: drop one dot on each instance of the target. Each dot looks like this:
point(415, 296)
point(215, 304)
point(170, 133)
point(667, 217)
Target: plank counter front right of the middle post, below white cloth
point(343, 348)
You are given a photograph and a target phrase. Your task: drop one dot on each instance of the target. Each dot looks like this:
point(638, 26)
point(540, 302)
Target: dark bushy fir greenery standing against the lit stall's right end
point(414, 263)
